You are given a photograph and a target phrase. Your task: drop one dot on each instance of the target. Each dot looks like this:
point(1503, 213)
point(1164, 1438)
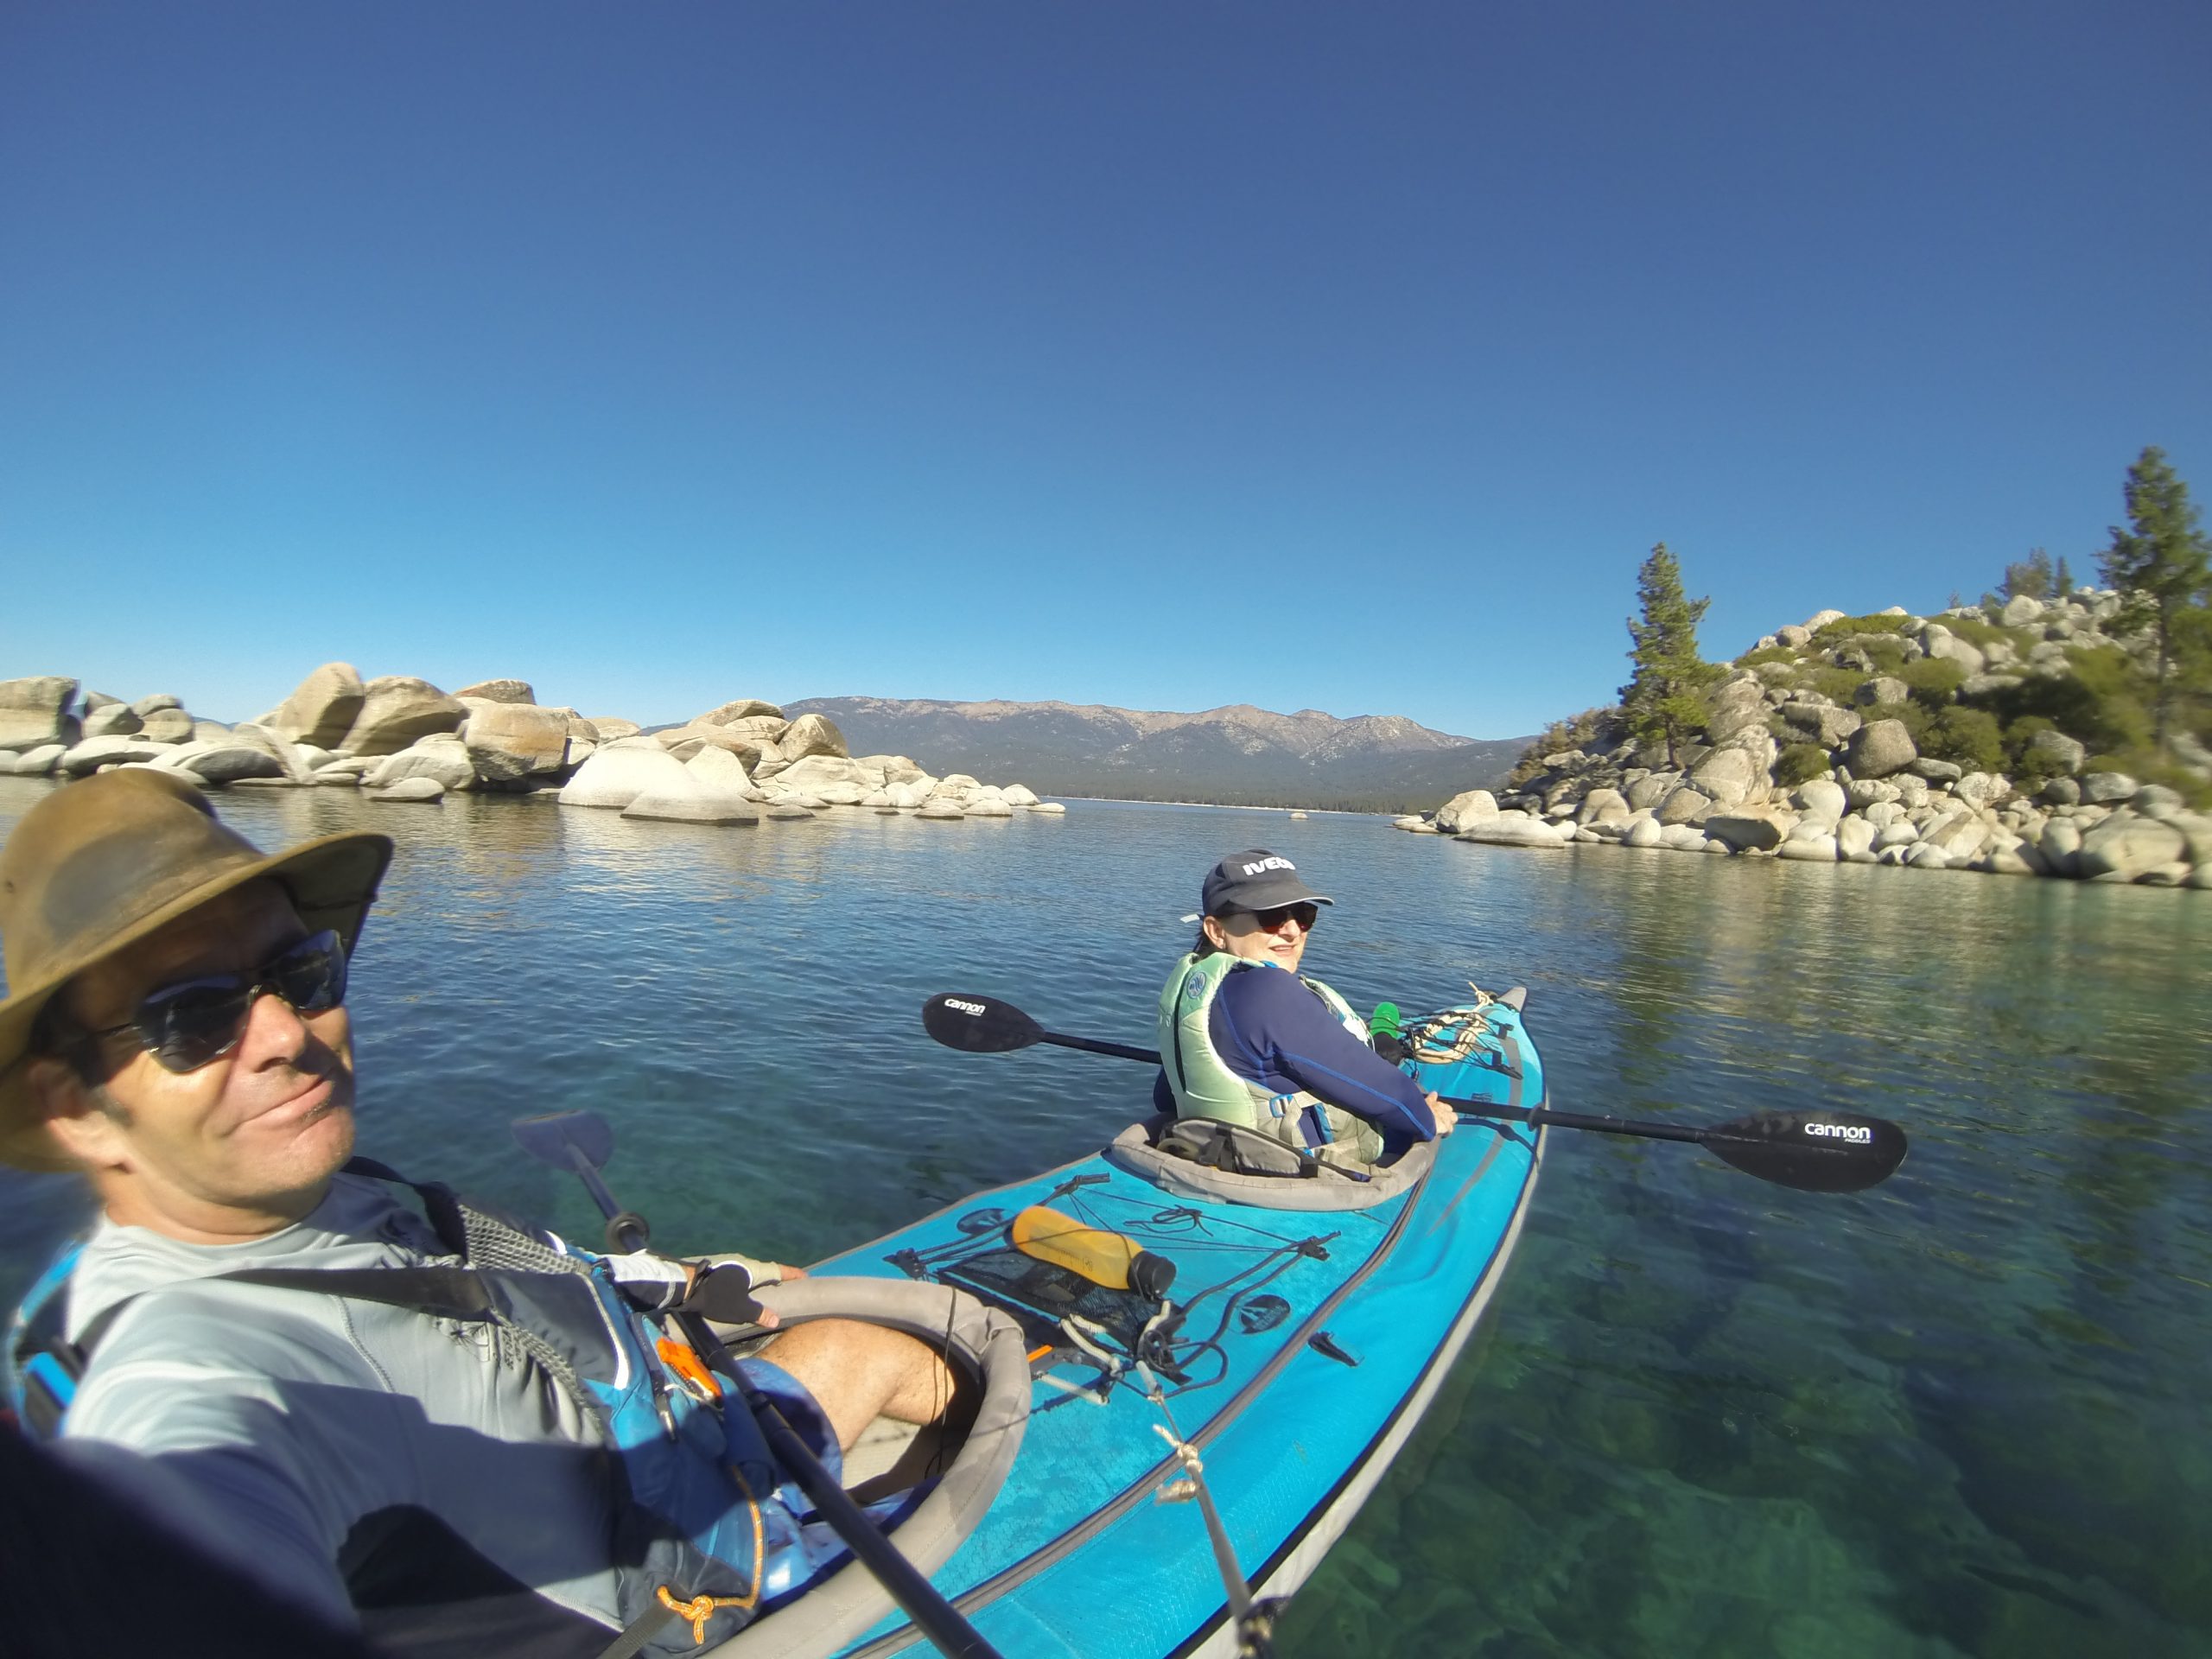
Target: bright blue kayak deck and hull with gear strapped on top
point(1308, 1326)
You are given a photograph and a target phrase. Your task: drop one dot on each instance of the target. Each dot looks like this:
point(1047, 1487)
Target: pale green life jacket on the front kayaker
point(1207, 1087)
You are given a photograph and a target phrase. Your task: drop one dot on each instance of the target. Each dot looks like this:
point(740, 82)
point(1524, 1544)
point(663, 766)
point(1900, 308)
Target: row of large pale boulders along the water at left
point(404, 740)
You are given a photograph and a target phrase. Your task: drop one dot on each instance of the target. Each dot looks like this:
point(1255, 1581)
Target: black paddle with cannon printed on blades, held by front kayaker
point(1808, 1151)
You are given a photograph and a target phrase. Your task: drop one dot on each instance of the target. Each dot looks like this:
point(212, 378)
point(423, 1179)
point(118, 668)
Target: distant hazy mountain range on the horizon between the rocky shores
point(1233, 755)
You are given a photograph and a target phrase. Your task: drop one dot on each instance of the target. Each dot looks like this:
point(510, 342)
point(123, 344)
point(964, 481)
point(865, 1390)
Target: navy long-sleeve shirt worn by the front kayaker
point(1277, 1034)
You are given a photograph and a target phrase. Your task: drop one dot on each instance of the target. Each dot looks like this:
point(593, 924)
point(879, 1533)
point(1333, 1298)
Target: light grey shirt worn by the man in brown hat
point(280, 1428)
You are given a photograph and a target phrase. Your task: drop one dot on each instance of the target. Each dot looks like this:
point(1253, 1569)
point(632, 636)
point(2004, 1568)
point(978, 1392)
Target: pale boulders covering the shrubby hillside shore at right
point(1877, 800)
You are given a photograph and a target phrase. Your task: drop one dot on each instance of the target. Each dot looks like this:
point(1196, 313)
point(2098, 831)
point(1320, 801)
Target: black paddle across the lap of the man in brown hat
point(906, 1585)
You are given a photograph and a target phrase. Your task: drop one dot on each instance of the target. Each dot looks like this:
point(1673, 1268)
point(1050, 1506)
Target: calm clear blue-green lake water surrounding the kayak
point(1961, 1415)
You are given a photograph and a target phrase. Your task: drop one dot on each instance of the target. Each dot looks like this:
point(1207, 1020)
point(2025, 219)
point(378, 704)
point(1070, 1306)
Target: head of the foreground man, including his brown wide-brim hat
point(125, 877)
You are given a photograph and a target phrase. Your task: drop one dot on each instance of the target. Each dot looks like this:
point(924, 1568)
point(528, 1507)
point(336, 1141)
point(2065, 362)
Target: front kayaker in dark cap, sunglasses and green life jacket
point(1280, 1054)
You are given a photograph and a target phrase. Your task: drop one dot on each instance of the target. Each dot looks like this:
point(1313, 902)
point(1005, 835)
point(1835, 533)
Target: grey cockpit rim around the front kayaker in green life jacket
point(1227, 1165)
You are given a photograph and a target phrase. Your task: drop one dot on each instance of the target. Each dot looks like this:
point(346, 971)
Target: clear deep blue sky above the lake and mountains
point(1156, 355)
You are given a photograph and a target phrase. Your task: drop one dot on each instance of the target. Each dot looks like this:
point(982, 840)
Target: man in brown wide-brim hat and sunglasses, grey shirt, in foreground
point(236, 1355)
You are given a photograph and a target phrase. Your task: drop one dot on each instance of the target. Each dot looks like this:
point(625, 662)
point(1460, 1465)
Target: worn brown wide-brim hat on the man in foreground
point(103, 864)
